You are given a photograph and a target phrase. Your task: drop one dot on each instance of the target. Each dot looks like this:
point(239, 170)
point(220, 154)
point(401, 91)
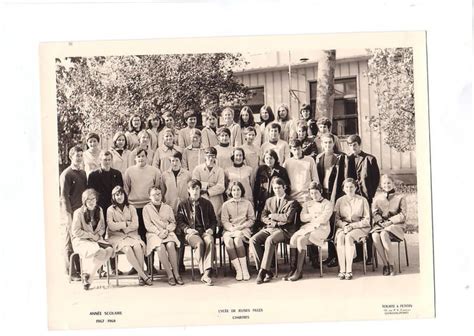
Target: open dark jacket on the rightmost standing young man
point(366, 172)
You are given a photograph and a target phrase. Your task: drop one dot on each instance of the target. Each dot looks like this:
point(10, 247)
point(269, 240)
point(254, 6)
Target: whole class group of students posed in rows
point(158, 189)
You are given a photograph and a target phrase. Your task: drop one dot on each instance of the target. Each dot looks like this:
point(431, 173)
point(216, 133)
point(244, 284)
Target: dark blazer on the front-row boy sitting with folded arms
point(285, 213)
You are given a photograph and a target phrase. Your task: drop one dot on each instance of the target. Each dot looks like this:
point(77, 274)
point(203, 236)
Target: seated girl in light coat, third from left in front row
point(160, 225)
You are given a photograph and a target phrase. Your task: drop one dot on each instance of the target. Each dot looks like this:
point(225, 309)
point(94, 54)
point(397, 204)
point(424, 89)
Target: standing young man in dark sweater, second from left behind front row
point(104, 180)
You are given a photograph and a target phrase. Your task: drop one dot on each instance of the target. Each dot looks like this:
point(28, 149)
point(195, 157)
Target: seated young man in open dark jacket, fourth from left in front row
point(197, 222)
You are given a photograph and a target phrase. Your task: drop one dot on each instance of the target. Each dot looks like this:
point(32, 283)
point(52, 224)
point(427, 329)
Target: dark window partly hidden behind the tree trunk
point(345, 114)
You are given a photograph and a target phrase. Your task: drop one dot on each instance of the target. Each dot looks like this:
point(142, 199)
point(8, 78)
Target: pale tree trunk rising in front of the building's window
point(325, 84)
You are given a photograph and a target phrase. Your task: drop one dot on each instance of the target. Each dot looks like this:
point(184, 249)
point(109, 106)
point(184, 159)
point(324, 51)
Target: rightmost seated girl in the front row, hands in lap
point(389, 211)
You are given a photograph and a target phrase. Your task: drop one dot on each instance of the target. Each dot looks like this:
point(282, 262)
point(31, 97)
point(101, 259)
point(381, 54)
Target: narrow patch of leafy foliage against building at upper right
point(391, 74)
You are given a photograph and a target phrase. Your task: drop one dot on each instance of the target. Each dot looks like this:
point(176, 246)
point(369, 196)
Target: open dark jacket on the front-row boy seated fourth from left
point(207, 216)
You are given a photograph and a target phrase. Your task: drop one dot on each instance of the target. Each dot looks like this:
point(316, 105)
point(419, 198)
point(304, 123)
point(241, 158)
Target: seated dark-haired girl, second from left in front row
point(122, 222)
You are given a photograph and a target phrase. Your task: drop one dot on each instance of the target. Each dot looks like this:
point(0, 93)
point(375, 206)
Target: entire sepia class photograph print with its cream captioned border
point(237, 180)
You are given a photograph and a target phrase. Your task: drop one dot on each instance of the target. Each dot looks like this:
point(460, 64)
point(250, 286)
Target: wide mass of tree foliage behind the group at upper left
point(101, 93)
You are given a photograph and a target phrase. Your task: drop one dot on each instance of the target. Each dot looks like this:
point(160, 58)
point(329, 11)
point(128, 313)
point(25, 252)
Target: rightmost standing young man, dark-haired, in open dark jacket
point(363, 168)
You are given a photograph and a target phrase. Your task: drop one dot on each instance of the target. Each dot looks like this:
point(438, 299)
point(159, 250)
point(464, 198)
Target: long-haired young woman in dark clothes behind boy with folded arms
point(266, 173)
